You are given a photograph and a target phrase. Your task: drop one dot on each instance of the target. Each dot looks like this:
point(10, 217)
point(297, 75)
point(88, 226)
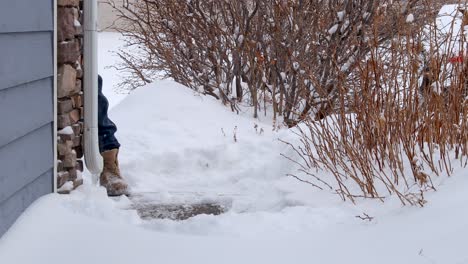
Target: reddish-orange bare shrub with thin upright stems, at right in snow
point(404, 121)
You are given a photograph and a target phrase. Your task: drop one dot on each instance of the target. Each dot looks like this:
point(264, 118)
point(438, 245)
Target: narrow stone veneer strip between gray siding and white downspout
point(70, 94)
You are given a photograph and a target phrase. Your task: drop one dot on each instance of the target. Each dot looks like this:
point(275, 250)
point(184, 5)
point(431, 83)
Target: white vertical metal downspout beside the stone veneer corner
point(92, 156)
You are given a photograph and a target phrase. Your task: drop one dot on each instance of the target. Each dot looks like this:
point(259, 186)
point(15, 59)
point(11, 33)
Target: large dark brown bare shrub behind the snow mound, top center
point(293, 56)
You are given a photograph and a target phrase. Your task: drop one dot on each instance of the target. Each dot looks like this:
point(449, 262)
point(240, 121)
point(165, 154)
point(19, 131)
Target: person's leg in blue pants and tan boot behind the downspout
point(109, 148)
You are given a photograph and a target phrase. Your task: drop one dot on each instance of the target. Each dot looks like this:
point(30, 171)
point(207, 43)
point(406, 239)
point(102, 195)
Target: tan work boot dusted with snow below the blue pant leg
point(110, 176)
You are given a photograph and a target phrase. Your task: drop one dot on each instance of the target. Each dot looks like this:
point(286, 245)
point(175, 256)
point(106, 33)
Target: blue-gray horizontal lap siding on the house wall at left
point(26, 105)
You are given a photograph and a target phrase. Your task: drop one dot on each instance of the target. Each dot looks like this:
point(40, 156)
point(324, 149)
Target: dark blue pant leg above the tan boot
point(106, 127)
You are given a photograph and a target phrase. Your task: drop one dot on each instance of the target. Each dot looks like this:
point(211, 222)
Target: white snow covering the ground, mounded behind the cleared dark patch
point(182, 148)
